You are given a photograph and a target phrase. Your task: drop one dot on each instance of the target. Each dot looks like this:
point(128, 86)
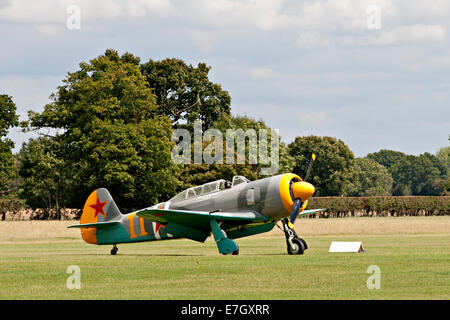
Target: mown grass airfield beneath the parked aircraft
point(413, 254)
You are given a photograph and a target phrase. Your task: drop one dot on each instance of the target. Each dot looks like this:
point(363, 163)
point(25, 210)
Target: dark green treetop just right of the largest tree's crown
point(184, 92)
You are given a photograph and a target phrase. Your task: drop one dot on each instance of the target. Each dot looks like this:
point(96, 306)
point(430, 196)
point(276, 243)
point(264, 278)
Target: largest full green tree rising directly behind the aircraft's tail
point(109, 134)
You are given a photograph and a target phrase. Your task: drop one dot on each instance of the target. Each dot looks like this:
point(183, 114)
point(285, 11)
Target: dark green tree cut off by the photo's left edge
point(8, 119)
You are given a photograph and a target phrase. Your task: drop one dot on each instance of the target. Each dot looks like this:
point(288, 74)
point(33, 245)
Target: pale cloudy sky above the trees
point(323, 67)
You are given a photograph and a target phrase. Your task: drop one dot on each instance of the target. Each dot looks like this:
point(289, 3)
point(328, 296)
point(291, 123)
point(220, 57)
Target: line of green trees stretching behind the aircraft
point(109, 124)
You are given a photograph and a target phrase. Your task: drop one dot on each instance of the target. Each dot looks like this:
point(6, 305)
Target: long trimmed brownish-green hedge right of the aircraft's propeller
point(381, 206)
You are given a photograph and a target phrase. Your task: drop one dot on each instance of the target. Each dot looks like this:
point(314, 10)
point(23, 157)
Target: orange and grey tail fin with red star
point(99, 208)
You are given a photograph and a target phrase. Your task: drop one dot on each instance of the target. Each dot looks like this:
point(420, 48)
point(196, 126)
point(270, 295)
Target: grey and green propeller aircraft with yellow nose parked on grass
point(228, 210)
